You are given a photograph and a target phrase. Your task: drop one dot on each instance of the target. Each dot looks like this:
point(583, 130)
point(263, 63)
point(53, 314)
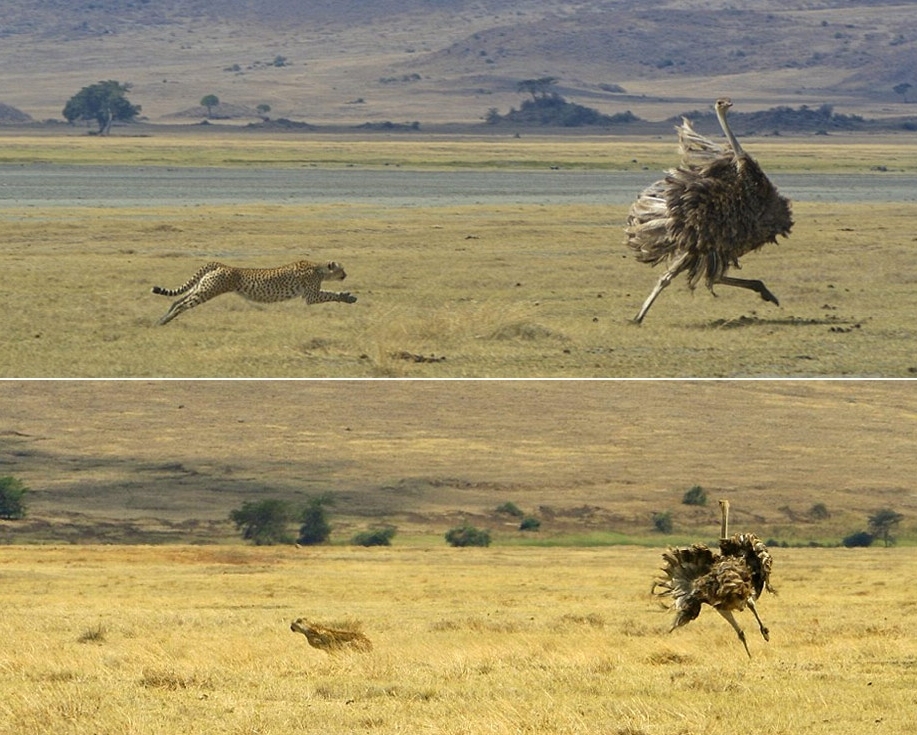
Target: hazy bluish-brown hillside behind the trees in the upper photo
point(452, 60)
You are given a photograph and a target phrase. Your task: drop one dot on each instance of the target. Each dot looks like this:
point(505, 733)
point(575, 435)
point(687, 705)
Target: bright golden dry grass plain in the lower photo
point(197, 640)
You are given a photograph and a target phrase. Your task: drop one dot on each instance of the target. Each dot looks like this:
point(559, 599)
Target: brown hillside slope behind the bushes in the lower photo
point(140, 461)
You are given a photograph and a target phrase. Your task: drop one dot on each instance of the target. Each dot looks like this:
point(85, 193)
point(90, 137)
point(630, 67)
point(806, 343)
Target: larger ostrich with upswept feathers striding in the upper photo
point(707, 213)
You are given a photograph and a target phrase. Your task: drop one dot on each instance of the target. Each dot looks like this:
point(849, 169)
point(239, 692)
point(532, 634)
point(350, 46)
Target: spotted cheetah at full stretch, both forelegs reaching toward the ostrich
point(264, 285)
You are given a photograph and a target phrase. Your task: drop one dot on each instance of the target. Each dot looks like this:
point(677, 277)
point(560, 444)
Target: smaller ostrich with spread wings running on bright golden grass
point(728, 581)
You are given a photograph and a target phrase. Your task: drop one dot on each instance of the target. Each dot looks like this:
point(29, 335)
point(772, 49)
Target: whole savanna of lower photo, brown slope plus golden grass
point(551, 632)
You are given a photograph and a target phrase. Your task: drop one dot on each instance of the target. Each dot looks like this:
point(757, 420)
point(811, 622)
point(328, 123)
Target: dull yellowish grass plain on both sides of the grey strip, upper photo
point(484, 290)
